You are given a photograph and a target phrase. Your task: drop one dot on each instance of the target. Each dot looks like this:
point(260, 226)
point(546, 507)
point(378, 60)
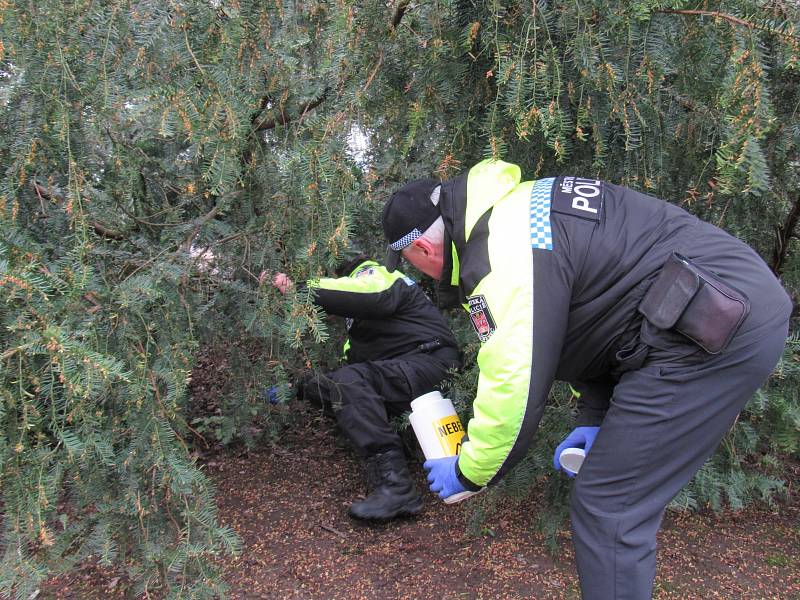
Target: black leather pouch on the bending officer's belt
point(695, 303)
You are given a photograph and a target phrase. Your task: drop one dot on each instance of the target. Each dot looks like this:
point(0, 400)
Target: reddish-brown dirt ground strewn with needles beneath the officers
point(289, 505)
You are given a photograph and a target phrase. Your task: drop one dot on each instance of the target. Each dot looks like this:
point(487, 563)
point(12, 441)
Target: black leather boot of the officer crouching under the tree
point(394, 492)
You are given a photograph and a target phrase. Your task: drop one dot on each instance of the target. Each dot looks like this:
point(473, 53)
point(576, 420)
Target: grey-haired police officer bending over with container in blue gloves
point(666, 325)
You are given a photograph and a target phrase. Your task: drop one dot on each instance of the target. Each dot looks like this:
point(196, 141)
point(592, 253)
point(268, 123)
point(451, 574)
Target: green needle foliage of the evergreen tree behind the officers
point(161, 160)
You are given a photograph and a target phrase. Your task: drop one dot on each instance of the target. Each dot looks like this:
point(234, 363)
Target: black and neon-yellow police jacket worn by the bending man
point(551, 272)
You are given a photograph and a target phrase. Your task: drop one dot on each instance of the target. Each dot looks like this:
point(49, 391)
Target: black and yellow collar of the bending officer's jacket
point(462, 202)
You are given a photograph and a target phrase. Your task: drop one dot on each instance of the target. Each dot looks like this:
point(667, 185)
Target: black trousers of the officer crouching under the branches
point(365, 396)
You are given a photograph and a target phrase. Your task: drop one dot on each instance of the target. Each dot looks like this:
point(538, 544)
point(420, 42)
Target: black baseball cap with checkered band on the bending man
point(406, 216)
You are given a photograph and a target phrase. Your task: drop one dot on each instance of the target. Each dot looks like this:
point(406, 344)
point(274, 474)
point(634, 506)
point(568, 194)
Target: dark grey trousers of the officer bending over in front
point(666, 418)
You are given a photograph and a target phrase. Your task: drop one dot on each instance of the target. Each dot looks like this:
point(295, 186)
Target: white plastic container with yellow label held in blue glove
point(438, 430)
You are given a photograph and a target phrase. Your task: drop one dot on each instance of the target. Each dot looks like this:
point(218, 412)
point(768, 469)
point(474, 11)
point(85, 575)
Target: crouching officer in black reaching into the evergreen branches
point(399, 347)
